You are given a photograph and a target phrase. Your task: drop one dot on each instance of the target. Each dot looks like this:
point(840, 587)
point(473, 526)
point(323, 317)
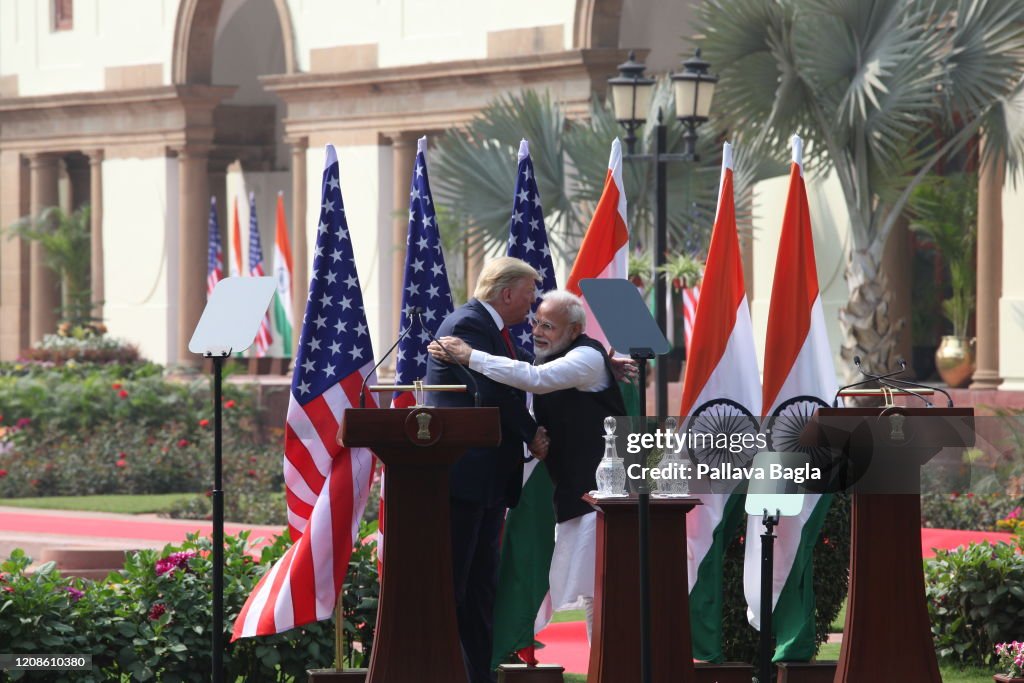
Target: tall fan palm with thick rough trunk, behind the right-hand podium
point(882, 91)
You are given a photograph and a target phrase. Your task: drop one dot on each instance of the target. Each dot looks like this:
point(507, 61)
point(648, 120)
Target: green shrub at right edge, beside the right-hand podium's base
point(975, 601)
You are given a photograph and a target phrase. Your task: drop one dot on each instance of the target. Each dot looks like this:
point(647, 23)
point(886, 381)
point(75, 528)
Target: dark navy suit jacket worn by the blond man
point(488, 477)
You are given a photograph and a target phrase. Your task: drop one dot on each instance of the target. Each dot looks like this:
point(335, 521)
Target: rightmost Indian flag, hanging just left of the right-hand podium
point(799, 376)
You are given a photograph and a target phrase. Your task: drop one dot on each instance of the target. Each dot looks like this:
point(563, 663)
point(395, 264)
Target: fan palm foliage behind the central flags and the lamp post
point(476, 175)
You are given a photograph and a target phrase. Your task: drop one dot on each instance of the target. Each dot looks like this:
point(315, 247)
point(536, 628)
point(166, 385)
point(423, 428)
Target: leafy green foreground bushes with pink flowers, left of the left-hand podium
point(152, 621)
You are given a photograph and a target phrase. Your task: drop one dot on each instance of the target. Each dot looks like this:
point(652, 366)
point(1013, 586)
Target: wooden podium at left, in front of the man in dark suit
point(417, 639)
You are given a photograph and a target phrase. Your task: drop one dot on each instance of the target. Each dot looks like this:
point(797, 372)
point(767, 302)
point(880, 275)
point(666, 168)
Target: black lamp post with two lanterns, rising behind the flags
point(631, 96)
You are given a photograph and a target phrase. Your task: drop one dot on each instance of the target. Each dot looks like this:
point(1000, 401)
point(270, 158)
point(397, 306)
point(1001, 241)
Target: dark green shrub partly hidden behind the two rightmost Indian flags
point(832, 564)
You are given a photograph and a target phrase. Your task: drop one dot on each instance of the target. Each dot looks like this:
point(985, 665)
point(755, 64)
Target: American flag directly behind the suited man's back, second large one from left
point(425, 285)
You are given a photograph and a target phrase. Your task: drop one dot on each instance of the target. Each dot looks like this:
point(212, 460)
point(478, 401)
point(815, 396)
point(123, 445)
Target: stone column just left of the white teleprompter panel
point(194, 207)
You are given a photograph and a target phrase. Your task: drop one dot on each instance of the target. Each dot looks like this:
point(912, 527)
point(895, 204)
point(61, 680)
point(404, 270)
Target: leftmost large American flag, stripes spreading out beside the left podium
point(326, 484)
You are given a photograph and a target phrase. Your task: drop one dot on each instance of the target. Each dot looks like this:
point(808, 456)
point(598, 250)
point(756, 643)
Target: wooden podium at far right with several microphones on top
point(887, 635)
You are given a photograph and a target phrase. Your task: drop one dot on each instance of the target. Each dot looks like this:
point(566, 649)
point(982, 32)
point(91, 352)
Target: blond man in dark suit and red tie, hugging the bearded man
point(486, 482)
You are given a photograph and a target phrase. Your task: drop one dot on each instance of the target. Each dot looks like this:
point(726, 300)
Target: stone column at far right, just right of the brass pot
point(990, 274)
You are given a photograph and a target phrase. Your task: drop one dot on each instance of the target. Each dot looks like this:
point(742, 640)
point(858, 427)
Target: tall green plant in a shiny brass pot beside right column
point(946, 215)
